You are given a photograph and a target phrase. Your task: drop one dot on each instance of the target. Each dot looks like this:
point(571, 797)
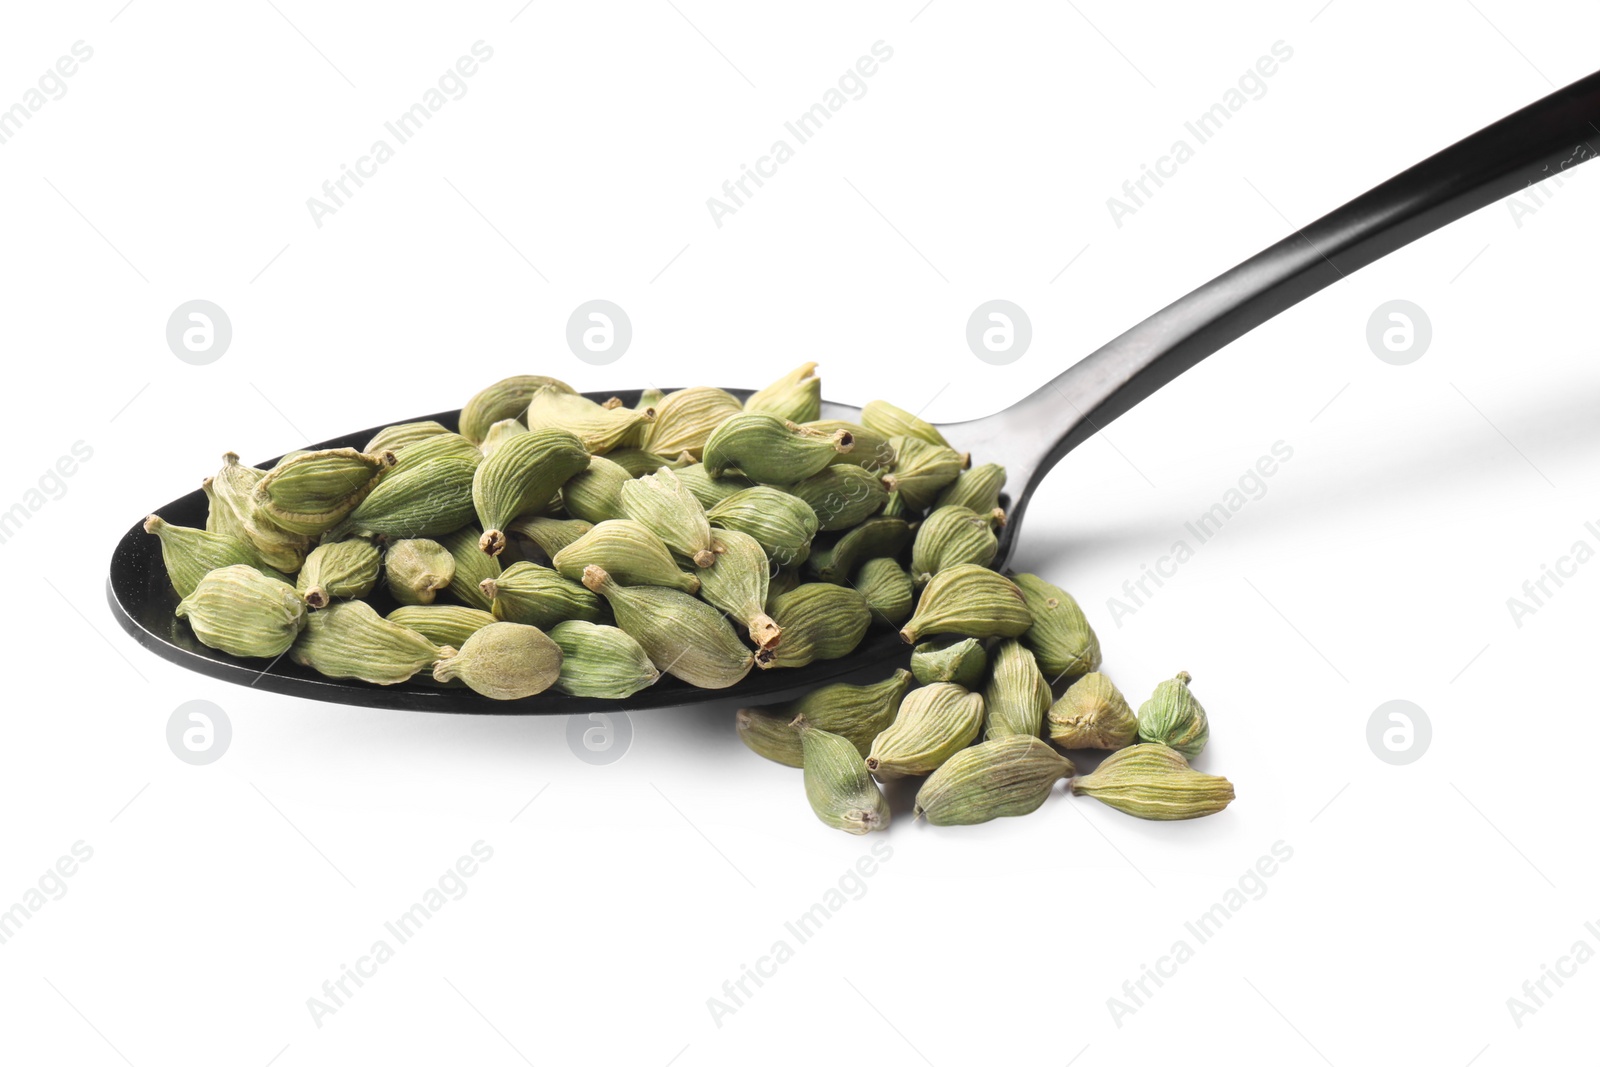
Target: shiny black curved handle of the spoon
point(1529, 146)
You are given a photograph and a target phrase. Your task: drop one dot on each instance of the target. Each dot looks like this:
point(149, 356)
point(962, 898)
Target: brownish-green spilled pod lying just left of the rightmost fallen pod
point(999, 778)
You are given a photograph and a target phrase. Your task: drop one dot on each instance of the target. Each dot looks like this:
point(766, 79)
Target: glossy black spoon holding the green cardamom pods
point(1529, 146)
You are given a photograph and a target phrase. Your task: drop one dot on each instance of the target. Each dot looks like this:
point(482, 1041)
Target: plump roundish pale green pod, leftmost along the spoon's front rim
point(244, 613)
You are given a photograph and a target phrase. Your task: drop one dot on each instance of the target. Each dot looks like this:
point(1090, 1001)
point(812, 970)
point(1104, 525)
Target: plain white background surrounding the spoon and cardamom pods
point(1377, 567)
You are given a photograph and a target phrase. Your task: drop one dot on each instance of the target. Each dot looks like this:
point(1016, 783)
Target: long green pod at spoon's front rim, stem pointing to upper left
point(684, 637)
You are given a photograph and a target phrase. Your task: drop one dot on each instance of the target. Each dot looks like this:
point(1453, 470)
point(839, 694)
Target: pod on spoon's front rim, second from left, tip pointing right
point(351, 641)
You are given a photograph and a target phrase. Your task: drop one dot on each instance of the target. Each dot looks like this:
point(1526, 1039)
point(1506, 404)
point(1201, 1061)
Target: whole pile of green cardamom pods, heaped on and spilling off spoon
point(556, 541)
